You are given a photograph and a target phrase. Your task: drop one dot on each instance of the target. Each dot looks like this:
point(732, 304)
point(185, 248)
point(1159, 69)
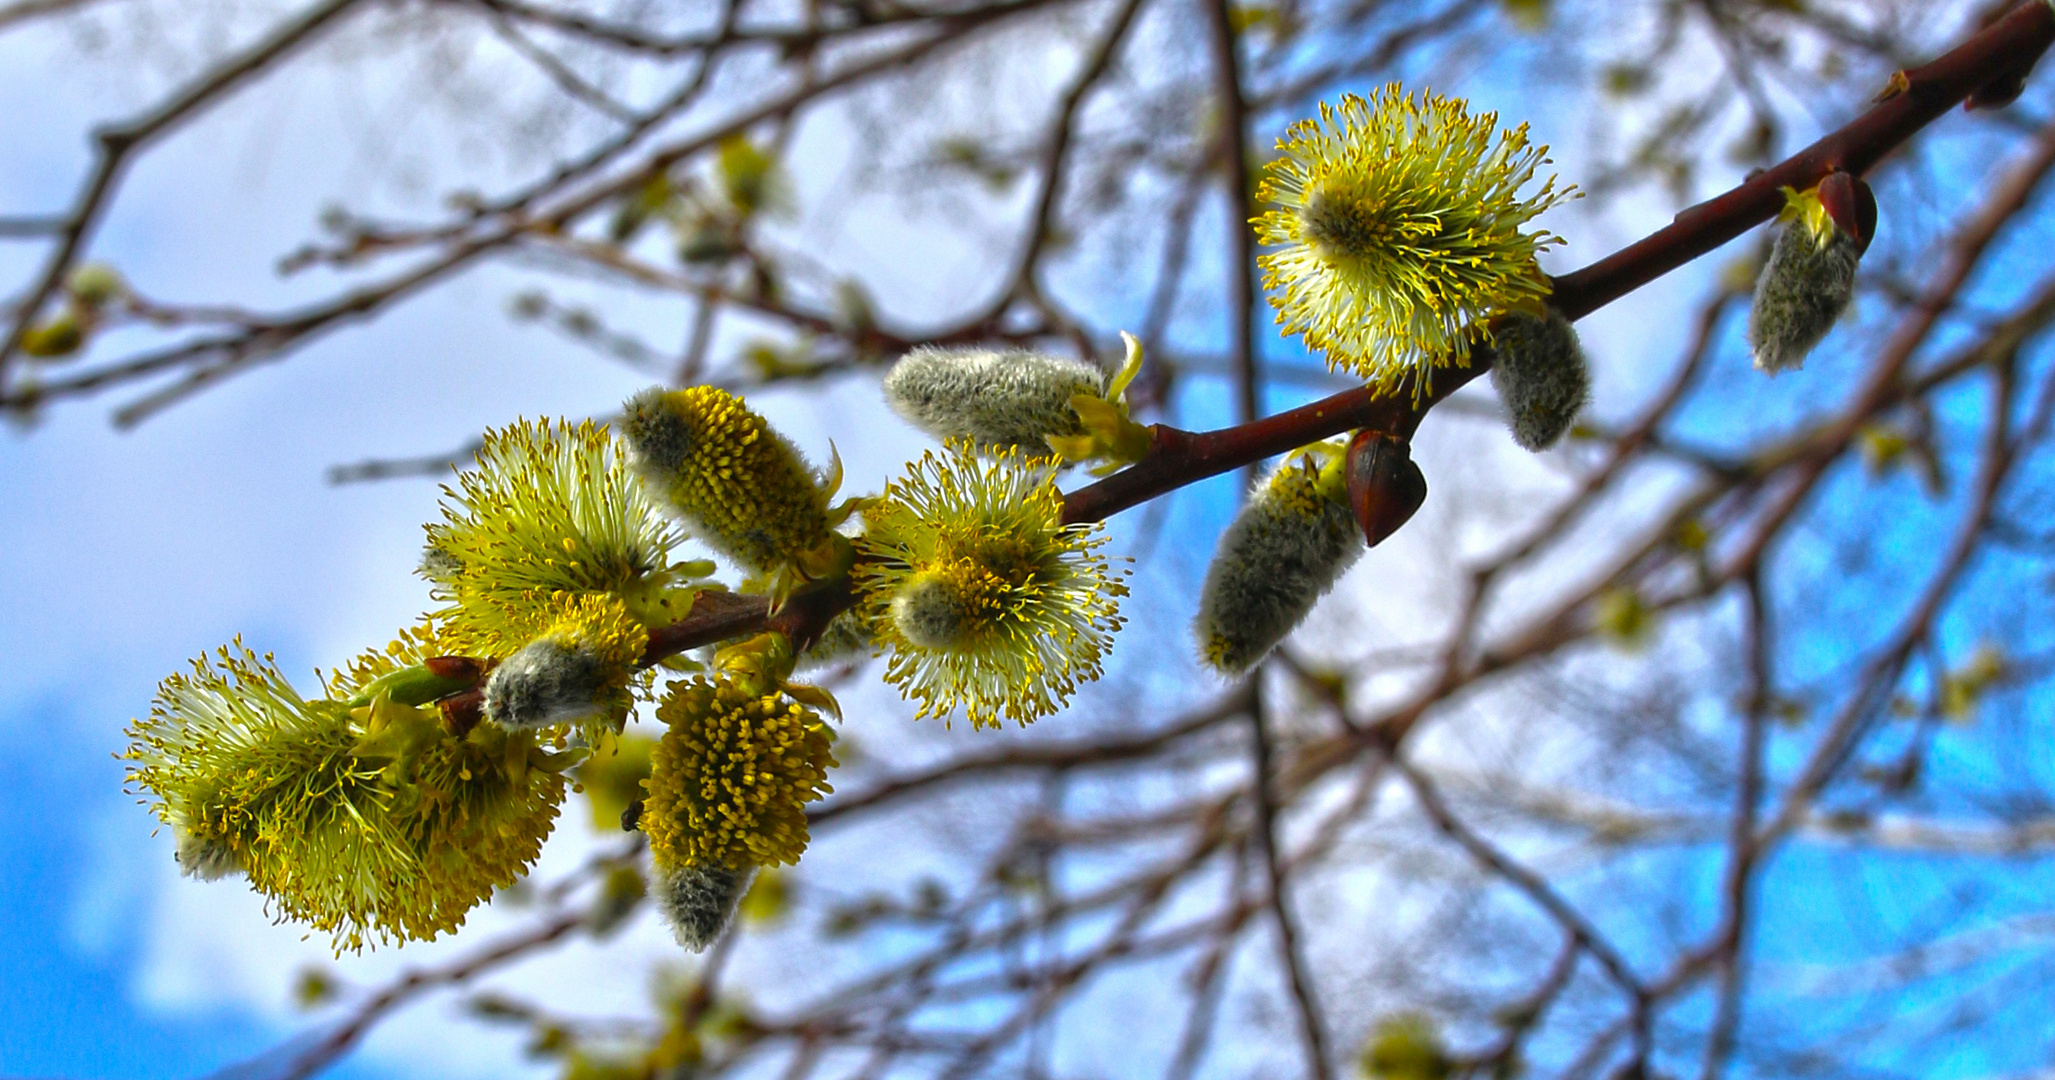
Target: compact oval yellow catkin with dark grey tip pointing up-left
point(739, 486)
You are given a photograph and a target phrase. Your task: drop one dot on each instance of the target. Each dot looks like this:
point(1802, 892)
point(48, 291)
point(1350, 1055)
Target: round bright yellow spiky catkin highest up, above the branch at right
point(1398, 233)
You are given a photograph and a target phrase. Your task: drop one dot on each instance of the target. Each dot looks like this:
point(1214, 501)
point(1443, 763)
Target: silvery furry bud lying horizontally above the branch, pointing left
point(992, 397)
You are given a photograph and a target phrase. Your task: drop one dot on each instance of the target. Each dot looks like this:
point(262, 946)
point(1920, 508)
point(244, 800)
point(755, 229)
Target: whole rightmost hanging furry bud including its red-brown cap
point(1811, 272)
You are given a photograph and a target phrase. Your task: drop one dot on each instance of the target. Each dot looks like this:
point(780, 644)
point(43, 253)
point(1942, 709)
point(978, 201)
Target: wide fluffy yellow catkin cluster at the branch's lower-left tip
point(373, 824)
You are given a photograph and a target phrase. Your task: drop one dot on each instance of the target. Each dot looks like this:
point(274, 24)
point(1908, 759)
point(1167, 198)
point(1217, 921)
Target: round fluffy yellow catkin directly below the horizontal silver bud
point(985, 599)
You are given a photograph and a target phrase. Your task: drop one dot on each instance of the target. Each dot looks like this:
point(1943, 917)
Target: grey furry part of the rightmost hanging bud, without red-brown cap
point(1803, 291)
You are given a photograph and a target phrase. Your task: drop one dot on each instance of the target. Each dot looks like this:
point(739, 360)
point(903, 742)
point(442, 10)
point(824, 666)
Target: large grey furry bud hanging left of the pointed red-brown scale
point(1287, 547)
